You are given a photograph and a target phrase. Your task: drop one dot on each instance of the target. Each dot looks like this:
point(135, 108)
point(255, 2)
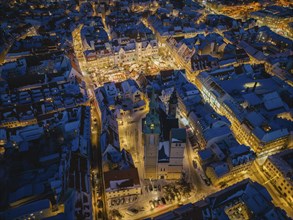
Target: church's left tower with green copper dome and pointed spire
point(151, 135)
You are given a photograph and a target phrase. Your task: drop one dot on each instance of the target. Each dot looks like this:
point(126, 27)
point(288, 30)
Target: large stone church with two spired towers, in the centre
point(164, 142)
